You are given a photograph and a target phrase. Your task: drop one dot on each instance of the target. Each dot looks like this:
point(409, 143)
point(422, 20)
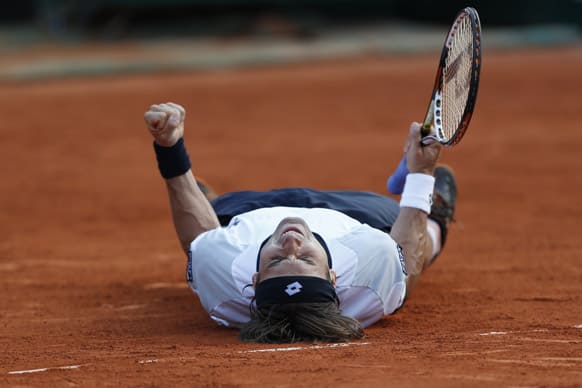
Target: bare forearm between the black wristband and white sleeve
point(191, 211)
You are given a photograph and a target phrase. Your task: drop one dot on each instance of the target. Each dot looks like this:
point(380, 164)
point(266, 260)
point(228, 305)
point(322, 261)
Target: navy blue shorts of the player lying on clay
point(376, 210)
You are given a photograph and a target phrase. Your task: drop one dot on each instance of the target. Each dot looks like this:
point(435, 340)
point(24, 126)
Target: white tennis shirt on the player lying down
point(371, 278)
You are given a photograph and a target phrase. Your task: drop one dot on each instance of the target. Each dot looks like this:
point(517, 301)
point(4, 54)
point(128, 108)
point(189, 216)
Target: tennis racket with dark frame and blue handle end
point(455, 90)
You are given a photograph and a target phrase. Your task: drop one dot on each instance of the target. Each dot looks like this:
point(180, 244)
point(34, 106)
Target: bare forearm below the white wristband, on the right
point(410, 232)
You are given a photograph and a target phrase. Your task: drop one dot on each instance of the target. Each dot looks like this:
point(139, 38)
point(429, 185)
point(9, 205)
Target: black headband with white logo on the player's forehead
point(294, 289)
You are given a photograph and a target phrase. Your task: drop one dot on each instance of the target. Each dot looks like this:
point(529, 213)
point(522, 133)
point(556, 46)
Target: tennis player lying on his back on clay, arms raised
point(298, 264)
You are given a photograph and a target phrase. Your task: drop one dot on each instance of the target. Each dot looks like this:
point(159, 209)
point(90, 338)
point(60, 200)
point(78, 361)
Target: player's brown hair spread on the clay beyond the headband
point(296, 322)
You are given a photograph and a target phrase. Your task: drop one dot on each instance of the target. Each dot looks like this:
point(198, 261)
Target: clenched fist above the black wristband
point(166, 123)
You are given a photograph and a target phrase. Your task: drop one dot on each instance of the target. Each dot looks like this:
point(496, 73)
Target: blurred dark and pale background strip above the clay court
point(55, 38)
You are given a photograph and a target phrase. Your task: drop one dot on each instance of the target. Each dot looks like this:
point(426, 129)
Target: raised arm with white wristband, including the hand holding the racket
point(410, 228)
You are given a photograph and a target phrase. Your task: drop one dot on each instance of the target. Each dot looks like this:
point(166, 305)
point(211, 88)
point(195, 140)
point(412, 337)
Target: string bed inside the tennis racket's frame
point(457, 77)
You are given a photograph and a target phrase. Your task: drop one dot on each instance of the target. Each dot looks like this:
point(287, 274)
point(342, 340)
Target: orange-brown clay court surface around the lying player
point(93, 276)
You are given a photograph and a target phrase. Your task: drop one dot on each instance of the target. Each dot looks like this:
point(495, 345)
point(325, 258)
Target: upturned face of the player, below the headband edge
point(293, 250)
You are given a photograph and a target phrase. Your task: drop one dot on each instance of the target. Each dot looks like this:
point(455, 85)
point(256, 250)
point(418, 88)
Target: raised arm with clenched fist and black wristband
point(191, 212)
